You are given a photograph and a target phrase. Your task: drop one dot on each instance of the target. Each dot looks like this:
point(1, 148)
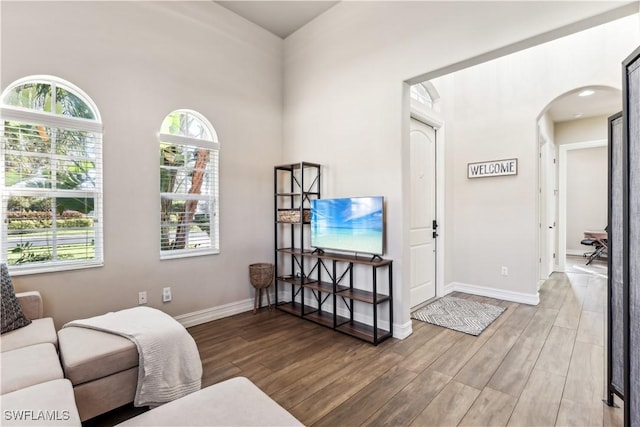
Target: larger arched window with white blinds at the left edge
point(51, 177)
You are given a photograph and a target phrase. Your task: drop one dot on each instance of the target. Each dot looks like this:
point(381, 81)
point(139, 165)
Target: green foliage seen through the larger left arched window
point(51, 159)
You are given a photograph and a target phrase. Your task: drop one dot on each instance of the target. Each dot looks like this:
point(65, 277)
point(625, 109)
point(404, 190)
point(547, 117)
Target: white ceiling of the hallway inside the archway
point(605, 101)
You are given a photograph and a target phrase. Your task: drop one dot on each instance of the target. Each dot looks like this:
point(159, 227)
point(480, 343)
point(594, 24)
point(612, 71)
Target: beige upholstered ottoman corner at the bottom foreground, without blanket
point(235, 402)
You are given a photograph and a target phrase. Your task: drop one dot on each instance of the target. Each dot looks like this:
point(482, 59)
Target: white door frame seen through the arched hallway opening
point(563, 151)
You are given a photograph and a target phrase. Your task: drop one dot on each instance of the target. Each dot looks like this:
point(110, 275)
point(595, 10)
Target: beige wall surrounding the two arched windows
point(139, 61)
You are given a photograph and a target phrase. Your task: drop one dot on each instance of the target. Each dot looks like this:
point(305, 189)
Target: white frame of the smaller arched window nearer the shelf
point(213, 146)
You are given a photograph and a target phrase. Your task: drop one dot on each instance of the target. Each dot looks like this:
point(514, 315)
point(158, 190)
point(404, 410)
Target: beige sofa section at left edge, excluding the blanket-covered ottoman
point(33, 389)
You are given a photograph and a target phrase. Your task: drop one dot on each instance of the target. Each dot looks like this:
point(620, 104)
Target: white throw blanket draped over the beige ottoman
point(169, 365)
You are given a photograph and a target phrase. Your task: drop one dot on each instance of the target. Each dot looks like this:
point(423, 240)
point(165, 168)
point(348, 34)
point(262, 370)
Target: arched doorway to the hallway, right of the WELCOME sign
point(575, 120)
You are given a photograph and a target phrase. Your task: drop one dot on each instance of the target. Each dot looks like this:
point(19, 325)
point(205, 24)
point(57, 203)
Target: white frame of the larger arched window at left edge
point(12, 113)
